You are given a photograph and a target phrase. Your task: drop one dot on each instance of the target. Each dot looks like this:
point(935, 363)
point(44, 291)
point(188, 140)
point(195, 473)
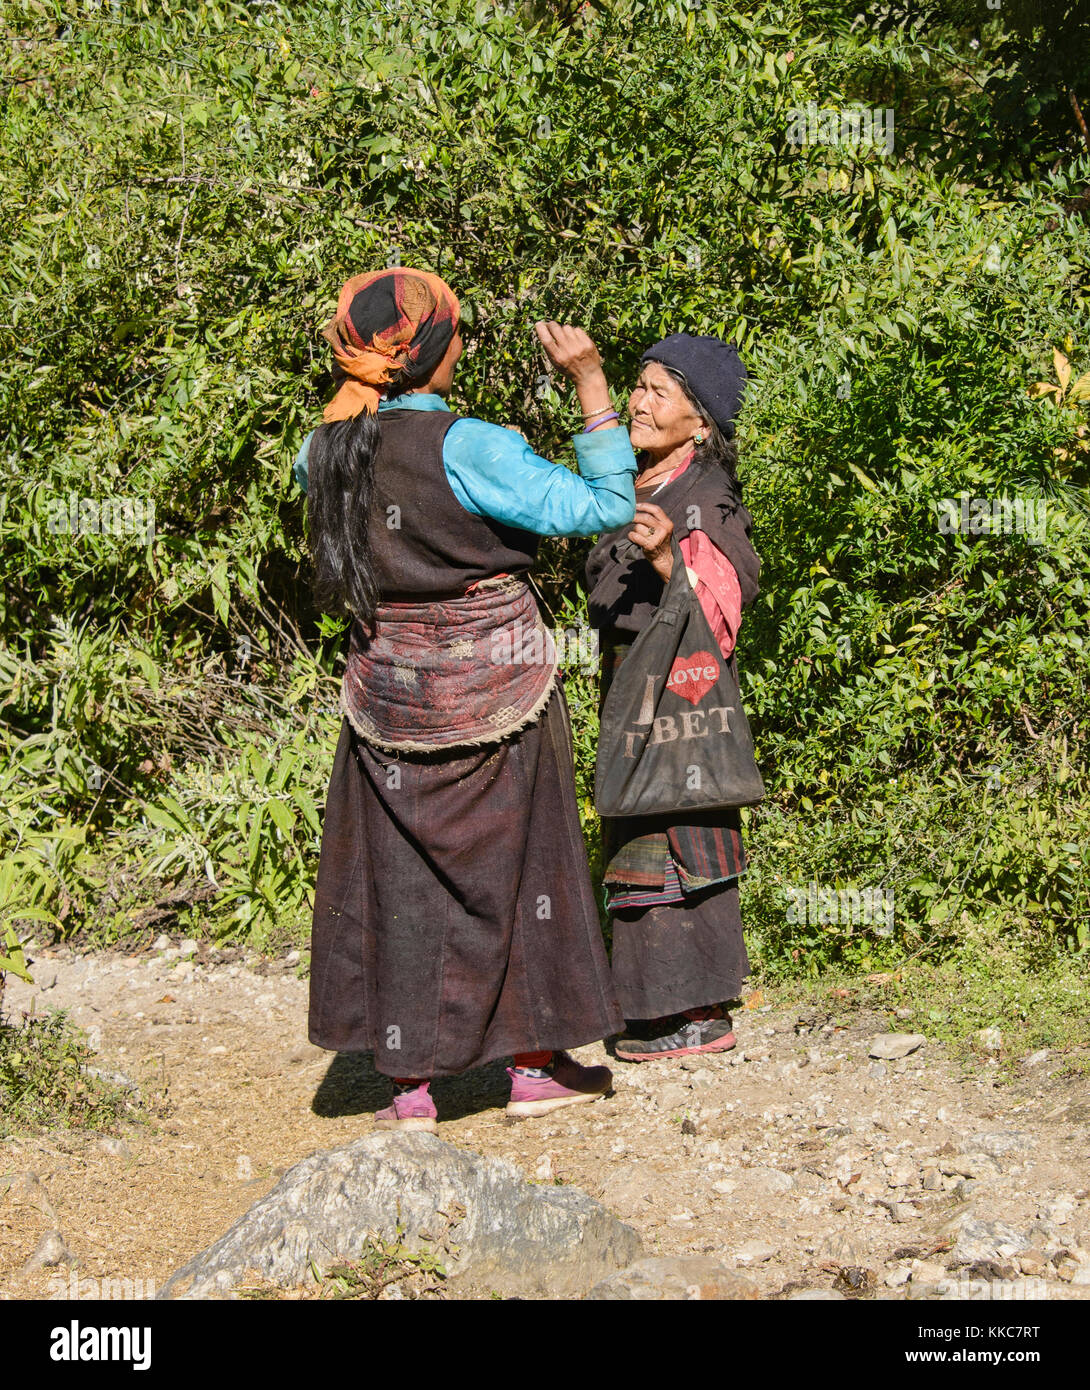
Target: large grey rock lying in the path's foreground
point(514, 1238)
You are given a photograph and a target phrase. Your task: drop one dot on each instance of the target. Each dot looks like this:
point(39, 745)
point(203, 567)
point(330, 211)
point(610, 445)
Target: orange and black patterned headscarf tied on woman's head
point(387, 320)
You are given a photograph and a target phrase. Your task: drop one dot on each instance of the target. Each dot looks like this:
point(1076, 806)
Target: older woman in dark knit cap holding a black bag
point(679, 956)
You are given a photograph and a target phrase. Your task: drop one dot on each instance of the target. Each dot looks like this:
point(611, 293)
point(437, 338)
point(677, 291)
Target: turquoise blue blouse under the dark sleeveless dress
point(494, 473)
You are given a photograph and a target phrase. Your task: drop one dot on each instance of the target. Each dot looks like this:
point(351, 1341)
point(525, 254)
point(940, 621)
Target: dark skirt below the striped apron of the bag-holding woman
point(679, 956)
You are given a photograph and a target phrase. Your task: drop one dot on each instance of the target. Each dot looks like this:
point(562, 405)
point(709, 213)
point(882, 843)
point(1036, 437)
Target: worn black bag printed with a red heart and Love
point(674, 735)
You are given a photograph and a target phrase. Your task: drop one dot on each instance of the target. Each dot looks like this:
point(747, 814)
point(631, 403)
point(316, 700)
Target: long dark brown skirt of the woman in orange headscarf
point(454, 913)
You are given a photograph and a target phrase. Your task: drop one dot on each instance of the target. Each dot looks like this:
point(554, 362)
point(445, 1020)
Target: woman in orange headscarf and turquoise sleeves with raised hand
point(454, 915)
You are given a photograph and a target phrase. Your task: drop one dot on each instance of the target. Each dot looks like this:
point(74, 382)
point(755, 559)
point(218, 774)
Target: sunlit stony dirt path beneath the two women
point(793, 1157)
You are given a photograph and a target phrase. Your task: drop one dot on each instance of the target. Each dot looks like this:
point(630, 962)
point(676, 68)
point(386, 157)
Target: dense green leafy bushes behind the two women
point(184, 194)
